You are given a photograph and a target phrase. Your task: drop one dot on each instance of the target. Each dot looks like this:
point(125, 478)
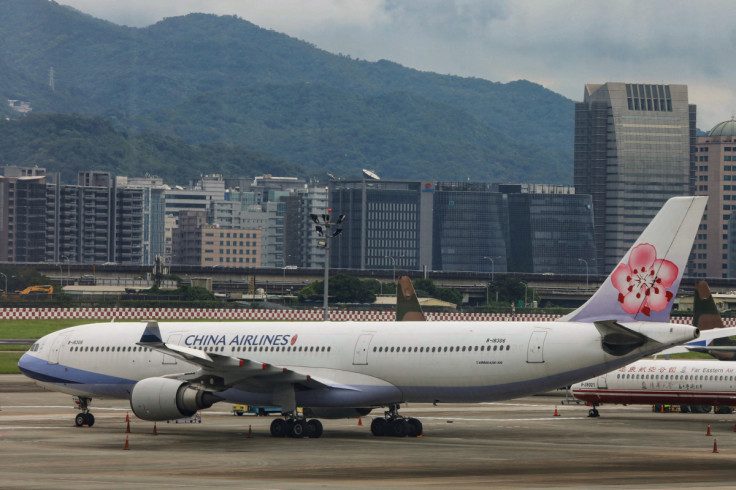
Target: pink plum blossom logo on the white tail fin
point(642, 283)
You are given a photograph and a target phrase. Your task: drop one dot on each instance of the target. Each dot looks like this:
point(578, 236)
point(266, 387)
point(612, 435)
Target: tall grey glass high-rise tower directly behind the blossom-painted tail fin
point(634, 149)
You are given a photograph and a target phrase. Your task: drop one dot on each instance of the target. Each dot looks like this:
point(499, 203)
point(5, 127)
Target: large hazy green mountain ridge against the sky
point(206, 79)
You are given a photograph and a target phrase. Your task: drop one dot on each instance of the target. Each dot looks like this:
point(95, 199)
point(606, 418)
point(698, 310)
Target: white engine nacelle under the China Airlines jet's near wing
point(167, 399)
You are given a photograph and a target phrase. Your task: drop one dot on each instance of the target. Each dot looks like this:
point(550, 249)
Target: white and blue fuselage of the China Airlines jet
point(364, 364)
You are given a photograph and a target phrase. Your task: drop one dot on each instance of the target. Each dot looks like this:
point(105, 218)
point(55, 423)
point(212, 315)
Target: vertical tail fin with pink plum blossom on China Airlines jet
point(642, 286)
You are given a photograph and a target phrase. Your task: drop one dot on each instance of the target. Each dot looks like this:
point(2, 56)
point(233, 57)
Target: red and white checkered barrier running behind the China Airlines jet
point(257, 314)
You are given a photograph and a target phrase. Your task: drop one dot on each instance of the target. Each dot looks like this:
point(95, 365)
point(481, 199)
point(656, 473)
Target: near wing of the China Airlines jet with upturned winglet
point(218, 372)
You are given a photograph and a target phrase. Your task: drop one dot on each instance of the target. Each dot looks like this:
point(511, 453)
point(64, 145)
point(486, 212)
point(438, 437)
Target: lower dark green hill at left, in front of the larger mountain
point(70, 143)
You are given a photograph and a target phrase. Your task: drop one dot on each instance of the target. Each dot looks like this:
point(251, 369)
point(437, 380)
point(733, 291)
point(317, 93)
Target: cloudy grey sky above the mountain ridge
point(559, 44)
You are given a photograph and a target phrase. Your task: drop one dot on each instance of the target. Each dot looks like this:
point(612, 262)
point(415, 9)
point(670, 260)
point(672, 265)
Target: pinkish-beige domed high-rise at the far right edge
point(715, 176)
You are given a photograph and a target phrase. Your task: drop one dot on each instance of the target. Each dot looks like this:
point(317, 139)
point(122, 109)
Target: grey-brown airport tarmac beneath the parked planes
point(514, 444)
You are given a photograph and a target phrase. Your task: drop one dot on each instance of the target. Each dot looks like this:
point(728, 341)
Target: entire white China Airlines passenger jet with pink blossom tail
point(170, 370)
